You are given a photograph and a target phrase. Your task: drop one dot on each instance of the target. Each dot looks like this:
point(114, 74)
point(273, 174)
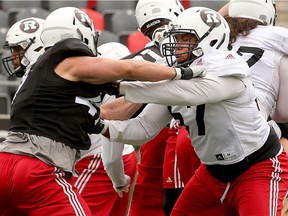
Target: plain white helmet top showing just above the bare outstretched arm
point(113, 50)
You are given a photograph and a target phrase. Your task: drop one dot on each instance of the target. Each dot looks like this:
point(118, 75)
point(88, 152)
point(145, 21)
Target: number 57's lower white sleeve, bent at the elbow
point(142, 128)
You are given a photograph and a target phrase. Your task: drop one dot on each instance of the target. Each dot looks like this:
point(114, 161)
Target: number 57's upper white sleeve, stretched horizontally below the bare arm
point(193, 92)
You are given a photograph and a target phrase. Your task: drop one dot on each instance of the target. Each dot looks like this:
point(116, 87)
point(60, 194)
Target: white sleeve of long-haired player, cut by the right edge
point(280, 112)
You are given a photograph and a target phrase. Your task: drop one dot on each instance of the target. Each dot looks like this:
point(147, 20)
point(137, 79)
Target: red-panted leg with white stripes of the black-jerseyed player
point(40, 189)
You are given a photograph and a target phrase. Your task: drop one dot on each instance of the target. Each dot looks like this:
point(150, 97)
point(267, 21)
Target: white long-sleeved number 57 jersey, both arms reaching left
point(225, 125)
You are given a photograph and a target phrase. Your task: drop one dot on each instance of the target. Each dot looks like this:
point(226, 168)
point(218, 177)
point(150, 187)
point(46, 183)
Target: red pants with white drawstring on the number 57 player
point(258, 191)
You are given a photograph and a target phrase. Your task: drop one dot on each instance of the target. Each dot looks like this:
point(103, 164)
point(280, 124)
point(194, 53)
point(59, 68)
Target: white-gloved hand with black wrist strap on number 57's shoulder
point(186, 73)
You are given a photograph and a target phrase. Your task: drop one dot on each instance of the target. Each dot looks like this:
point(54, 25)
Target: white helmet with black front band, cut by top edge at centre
point(152, 13)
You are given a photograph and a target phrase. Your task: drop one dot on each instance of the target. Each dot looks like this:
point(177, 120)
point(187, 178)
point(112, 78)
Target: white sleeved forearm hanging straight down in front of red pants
point(113, 162)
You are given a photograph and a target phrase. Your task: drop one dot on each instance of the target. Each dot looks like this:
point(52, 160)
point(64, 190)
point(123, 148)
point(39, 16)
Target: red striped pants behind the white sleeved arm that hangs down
point(96, 187)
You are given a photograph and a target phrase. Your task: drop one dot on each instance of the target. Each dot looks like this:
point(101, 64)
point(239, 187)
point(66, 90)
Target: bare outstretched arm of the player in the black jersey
point(99, 70)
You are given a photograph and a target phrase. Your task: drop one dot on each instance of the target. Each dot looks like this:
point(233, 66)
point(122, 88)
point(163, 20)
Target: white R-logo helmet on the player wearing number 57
point(209, 27)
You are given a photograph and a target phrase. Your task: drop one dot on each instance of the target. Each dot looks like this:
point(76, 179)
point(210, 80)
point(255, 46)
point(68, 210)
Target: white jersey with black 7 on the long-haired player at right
point(263, 49)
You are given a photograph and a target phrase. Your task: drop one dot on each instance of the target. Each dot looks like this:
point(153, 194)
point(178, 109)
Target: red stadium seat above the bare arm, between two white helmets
point(136, 41)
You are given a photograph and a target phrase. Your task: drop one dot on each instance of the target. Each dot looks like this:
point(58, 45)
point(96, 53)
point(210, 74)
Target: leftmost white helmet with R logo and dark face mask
point(25, 34)
